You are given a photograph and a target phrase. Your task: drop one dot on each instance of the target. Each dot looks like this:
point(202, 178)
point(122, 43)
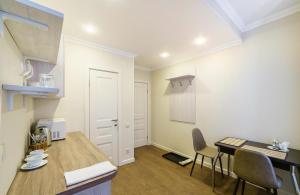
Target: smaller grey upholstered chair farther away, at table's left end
point(202, 149)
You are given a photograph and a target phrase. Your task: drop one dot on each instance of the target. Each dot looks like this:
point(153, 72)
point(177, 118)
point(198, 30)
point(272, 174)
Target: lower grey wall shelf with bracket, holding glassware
point(12, 90)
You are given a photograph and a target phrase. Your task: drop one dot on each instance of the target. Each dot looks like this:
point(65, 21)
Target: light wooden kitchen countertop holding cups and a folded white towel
point(75, 152)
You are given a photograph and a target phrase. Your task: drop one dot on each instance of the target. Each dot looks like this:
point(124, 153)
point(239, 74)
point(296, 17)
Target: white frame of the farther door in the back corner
point(148, 108)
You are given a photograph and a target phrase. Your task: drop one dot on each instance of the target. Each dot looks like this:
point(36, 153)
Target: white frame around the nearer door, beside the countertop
point(87, 102)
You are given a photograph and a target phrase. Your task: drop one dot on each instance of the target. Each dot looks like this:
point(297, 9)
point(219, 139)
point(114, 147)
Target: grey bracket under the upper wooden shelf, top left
point(13, 17)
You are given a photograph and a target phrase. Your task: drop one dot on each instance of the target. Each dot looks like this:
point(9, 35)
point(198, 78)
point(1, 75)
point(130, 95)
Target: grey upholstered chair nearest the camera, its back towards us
point(255, 168)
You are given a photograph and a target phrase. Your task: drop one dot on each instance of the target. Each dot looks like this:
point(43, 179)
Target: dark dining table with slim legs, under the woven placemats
point(290, 163)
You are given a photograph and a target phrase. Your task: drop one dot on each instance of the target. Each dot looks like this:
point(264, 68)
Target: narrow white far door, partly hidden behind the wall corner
point(140, 114)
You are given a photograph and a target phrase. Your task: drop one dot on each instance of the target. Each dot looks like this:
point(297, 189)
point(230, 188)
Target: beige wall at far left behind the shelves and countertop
point(14, 124)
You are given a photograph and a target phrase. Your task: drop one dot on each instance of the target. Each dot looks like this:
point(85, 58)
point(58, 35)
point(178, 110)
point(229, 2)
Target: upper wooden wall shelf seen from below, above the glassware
point(35, 29)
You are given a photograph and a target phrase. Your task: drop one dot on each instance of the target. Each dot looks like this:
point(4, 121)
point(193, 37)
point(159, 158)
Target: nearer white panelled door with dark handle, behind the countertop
point(104, 112)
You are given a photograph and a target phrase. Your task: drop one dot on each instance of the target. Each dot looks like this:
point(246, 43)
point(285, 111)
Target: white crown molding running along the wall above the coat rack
point(205, 53)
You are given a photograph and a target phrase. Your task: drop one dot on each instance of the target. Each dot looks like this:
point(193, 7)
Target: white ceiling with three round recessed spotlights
point(147, 28)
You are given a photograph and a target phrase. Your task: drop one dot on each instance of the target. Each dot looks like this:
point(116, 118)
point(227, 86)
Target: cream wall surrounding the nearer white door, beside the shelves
point(79, 58)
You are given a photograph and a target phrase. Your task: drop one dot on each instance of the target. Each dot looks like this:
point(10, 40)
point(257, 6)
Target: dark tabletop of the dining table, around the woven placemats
point(292, 158)
